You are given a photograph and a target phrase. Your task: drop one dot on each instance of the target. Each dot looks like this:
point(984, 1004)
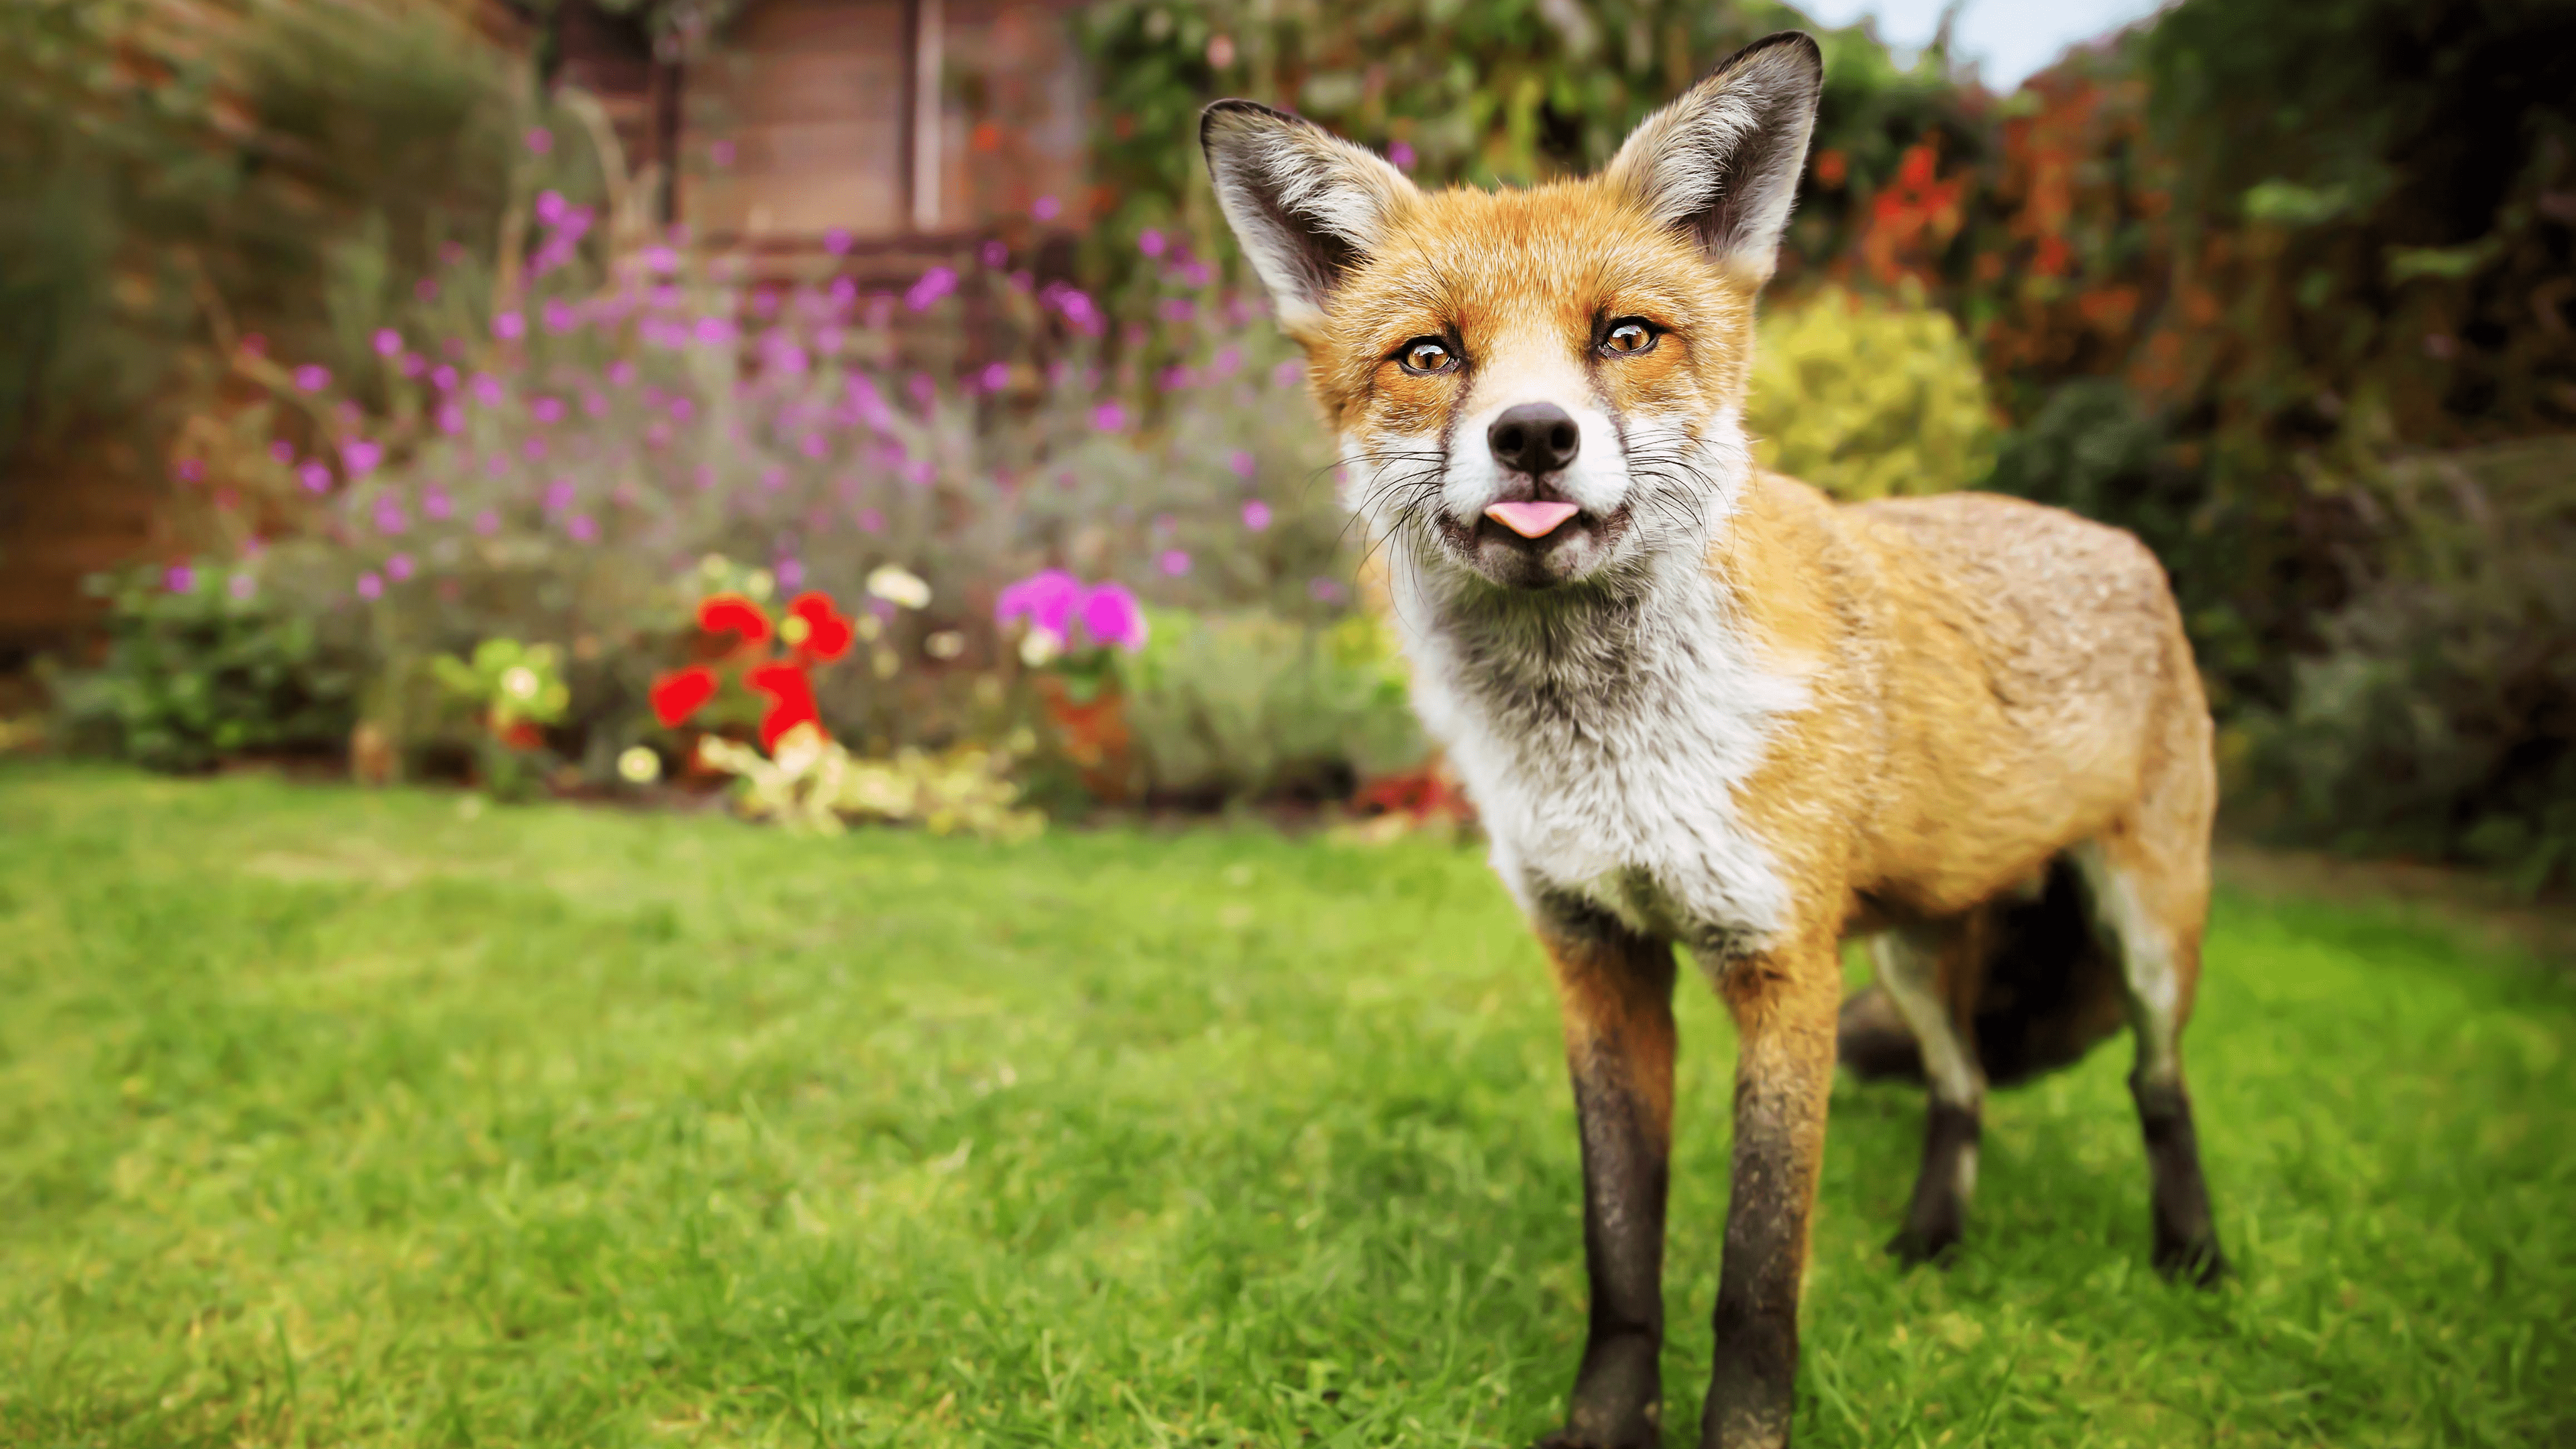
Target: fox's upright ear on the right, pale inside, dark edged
point(1725, 159)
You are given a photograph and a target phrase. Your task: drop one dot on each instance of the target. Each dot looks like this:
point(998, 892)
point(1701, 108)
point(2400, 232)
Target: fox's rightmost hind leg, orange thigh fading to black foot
point(2150, 909)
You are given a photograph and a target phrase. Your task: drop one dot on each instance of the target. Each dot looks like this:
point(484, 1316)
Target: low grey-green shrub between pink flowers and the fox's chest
point(1256, 708)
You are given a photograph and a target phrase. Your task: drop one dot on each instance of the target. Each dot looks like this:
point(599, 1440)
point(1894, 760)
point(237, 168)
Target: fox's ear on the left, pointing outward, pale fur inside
point(1302, 202)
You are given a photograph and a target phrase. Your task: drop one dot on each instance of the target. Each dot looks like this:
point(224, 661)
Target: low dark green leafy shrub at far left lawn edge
point(202, 666)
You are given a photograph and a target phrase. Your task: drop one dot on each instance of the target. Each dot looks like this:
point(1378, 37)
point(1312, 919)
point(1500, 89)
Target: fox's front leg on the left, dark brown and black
point(1616, 997)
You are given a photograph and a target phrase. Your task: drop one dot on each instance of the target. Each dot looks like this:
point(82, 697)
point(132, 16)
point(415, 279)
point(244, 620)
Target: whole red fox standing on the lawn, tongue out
point(1699, 705)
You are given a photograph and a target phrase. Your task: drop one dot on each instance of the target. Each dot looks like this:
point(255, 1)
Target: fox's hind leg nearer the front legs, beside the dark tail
point(1926, 973)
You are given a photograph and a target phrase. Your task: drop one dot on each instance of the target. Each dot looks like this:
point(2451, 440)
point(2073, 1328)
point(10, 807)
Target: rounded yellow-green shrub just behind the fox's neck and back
point(1869, 398)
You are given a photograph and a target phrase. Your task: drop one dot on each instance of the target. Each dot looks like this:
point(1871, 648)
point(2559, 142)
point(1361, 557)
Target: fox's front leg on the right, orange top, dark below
point(1784, 1007)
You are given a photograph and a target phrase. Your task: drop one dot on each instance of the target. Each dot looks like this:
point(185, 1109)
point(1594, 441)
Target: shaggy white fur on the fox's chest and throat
point(1604, 744)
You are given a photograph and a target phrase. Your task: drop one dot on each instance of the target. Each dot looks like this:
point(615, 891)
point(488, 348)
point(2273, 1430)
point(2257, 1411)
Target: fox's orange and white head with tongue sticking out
point(1534, 388)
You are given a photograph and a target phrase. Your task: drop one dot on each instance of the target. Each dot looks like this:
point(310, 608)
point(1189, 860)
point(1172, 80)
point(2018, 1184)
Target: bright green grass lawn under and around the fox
point(341, 1118)
